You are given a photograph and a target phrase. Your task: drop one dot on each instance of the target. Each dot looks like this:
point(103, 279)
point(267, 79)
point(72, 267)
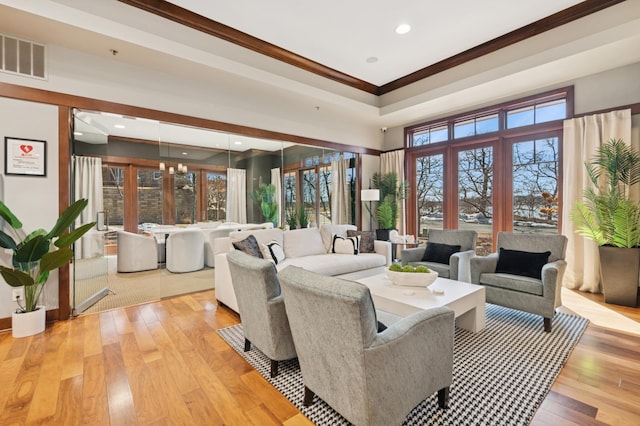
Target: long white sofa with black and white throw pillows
point(308, 248)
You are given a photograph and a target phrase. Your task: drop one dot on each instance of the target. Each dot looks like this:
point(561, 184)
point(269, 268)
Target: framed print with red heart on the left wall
point(25, 157)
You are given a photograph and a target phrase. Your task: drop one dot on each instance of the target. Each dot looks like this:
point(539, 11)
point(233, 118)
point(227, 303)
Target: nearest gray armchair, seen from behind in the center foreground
point(370, 378)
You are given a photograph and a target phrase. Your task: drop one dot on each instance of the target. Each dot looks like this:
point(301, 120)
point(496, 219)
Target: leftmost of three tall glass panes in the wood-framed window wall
point(430, 192)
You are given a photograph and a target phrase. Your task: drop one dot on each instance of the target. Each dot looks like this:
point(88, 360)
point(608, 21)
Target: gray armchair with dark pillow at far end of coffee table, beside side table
point(457, 268)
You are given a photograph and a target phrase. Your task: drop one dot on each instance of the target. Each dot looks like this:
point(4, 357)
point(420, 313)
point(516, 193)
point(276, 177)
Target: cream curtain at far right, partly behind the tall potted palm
point(582, 137)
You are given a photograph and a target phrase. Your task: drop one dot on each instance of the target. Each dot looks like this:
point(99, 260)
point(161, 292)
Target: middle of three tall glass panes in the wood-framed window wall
point(475, 196)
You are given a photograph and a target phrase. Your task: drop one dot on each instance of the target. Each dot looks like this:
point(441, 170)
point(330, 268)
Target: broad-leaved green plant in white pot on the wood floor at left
point(35, 255)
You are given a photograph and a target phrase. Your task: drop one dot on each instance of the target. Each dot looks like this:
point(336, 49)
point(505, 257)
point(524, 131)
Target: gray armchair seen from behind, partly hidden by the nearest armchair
point(261, 307)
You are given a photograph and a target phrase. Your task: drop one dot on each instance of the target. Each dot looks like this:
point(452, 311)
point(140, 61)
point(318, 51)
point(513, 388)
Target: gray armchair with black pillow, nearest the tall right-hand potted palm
point(539, 296)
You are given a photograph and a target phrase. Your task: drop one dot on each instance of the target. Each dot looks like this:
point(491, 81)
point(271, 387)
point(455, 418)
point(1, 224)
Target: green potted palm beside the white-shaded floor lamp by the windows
point(391, 194)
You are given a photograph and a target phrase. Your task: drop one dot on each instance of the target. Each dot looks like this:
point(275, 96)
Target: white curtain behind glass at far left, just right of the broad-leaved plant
point(88, 184)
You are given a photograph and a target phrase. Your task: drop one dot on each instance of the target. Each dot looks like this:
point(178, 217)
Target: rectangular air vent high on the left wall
point(22, 57)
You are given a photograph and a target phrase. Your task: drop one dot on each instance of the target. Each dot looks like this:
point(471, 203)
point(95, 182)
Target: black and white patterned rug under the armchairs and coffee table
point(500, 374)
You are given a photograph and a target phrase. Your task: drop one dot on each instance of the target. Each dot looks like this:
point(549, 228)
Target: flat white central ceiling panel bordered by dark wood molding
point(344, 35)
